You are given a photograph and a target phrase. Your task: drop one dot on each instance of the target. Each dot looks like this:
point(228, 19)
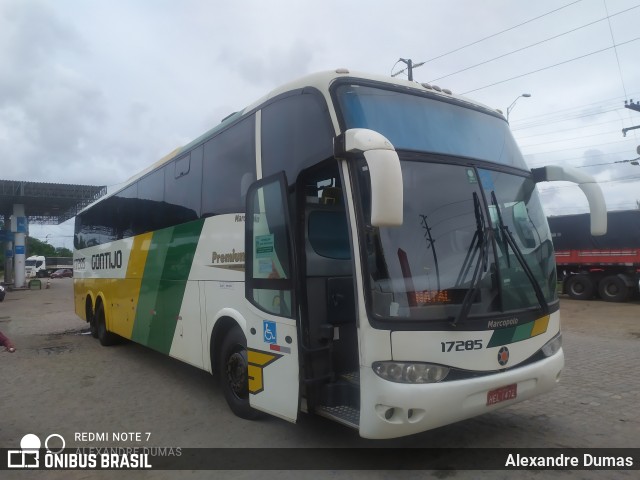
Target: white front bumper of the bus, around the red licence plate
point(389, 409)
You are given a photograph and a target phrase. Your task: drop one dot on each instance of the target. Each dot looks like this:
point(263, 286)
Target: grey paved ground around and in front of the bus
point(62, 381)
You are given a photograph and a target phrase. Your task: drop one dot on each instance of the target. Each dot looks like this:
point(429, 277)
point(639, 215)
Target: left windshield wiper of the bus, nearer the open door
point(479, 246)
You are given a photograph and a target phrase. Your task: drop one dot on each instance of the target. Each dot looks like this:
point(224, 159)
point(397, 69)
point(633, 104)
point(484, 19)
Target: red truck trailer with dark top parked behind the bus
point(606, 266)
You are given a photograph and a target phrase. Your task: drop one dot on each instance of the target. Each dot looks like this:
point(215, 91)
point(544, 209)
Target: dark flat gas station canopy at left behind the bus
point(46, 203)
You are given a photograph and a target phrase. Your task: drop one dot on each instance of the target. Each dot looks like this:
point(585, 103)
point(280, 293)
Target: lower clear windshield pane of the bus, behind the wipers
point(471, 238)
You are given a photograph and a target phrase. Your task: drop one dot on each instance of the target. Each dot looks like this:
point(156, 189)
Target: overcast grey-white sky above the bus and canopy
point(93, 91)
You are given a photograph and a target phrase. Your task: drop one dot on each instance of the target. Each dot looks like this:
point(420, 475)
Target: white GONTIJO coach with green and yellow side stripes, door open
point(367, 249)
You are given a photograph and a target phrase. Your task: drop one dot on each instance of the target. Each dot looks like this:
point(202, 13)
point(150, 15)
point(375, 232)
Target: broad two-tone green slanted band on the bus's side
point(165, 278)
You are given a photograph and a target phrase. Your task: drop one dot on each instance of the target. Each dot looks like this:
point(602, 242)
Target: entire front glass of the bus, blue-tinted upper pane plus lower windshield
point(474, 239)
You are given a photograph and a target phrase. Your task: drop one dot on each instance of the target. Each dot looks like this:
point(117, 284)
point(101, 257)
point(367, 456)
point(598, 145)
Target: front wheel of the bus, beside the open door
point(233, 371)
